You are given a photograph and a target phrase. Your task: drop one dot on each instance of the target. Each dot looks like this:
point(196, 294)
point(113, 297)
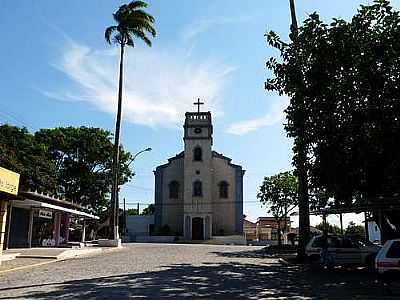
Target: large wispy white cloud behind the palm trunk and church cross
point(159, 86)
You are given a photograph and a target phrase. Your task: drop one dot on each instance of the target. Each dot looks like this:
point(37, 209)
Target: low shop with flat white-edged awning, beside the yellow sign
point(38, 220)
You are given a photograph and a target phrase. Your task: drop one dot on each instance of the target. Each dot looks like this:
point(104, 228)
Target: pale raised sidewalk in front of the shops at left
point(16, 259)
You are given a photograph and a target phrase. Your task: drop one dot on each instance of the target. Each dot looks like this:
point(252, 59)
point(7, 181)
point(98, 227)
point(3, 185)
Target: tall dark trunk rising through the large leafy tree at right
point(301, 165)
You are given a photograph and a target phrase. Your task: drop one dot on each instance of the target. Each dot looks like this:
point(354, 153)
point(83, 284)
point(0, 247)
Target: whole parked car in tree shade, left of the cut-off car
point(341, 250)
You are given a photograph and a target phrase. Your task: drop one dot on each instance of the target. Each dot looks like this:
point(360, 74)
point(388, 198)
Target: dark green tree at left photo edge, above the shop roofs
point(21, 153)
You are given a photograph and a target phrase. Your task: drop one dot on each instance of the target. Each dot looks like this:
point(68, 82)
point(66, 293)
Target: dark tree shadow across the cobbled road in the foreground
point(212, 281)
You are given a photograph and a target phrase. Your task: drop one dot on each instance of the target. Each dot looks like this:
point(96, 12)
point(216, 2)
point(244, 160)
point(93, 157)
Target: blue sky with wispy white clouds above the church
point(57, 70)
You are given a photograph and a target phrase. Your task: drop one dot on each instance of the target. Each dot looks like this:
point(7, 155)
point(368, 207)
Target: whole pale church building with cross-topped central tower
point(199, 192)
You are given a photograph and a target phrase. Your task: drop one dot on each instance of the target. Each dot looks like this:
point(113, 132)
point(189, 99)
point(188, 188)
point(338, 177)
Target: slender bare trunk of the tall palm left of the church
point(115, 162)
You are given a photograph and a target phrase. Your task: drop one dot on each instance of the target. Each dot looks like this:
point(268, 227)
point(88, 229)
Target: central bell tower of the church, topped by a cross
point(198, 174)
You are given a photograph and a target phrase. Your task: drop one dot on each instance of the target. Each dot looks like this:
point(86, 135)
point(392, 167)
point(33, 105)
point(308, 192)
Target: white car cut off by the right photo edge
point(388, 259)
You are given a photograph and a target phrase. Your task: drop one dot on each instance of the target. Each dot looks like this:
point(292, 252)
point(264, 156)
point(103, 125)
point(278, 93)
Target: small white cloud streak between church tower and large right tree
point(275, 115)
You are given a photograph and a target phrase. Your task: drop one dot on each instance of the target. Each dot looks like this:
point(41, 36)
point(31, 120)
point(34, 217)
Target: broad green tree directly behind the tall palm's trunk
point(82, 156)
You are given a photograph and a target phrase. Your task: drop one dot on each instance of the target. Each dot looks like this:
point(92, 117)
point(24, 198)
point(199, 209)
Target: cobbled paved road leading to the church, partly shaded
point(153, 271)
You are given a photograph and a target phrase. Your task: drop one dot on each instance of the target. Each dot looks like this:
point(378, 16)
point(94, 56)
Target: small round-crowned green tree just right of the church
point(280, 194)
